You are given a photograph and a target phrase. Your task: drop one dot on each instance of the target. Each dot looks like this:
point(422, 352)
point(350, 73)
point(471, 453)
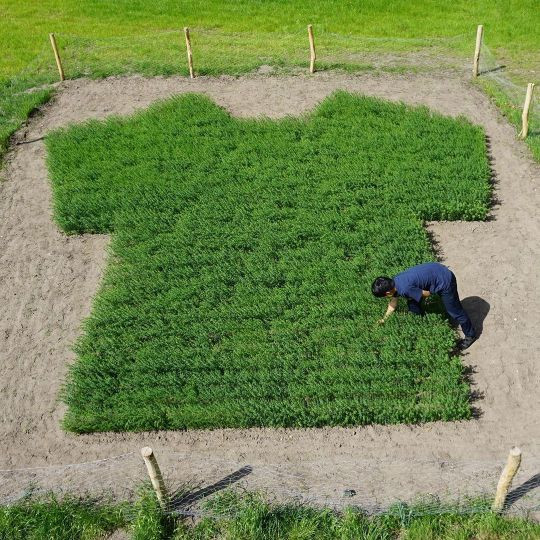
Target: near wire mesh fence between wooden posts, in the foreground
point(199, 485)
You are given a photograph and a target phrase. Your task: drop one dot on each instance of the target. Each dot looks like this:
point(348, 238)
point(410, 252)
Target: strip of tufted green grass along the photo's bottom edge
point(248, 518)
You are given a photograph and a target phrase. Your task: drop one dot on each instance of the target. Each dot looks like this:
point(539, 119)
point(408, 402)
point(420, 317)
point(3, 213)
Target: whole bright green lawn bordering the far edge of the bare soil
point(99, 38)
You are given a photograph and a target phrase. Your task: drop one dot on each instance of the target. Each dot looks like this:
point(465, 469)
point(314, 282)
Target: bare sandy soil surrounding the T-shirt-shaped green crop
point(48, 282)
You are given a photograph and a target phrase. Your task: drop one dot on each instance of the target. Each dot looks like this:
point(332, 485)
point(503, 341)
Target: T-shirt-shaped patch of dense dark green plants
point(243, 250)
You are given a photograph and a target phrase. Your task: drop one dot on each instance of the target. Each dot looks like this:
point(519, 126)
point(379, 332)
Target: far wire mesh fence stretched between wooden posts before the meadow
point(218, 52)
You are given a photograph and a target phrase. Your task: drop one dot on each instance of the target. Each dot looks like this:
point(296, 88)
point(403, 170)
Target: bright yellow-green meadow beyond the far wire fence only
point(511, 25)
